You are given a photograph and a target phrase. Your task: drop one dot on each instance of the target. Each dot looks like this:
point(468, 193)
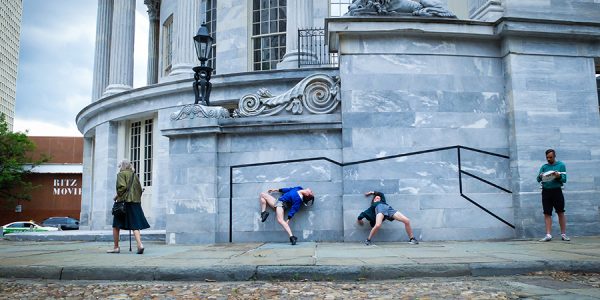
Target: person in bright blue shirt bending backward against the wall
point(291, 198)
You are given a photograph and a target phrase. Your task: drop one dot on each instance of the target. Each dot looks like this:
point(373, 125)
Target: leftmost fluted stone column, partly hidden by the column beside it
point(102, 52)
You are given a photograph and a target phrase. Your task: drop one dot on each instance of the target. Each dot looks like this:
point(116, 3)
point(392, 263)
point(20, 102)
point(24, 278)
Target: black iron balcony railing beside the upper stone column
point(313, 50)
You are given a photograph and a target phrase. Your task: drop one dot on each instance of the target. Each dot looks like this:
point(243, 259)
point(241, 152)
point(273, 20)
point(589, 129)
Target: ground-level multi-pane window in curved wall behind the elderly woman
point(140, 149)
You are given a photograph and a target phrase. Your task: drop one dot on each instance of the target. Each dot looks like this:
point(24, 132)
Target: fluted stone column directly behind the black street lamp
point(187, 22)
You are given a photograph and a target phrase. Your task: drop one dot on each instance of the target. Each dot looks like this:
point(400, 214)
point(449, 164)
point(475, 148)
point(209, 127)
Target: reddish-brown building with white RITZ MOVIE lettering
point(58, 192)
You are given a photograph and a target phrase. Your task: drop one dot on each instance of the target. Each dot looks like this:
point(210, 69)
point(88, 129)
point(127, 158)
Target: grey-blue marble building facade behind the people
point(504, 81)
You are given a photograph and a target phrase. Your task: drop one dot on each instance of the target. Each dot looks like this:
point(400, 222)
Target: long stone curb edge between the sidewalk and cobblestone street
point(293, 273)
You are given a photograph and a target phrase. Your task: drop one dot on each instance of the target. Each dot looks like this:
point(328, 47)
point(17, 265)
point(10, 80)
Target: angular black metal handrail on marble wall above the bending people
point(460, 172)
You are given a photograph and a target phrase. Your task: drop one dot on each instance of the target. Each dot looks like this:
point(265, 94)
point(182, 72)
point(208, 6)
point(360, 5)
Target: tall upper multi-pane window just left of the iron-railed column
point(268, 33)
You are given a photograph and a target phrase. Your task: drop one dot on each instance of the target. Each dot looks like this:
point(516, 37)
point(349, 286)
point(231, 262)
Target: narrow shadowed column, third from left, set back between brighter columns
point(154, 17)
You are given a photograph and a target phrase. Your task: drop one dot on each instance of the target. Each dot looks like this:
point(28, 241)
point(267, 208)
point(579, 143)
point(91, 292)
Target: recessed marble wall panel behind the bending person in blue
point(321, 222)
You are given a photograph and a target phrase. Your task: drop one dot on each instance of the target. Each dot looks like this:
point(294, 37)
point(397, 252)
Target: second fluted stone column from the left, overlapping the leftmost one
point(121, 54)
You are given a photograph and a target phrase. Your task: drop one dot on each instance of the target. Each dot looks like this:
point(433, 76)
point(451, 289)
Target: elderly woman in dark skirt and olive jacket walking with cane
point(129, 190)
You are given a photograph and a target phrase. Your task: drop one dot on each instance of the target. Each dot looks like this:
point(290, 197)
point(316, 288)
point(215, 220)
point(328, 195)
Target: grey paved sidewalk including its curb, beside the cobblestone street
point(84, 260)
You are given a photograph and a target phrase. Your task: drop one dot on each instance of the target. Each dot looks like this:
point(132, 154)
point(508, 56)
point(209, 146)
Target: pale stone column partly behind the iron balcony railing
point(299, 16)
